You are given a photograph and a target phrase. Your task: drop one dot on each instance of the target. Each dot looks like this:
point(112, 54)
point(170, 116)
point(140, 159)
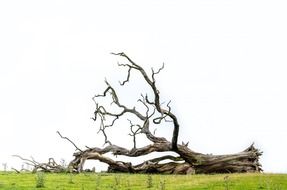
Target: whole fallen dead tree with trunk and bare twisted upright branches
point(156, 113)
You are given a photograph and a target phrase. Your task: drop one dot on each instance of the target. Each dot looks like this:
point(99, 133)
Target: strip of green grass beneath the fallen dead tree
point(28, 181)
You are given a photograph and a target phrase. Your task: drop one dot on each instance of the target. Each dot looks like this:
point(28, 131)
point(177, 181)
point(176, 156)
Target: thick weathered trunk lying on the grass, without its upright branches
point(188, 162)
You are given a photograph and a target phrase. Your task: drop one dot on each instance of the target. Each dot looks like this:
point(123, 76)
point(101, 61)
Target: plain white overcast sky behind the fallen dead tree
point(225, 72)
